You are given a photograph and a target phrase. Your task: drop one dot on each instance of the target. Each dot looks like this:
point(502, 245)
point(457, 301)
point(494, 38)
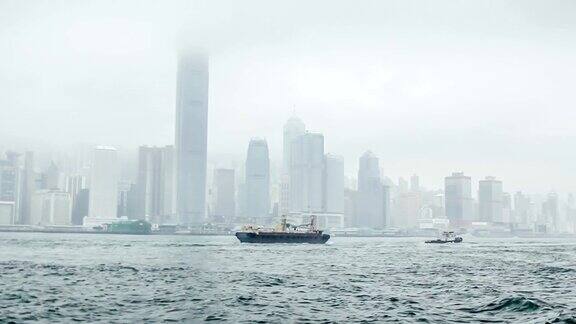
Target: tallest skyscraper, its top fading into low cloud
point(191, 136)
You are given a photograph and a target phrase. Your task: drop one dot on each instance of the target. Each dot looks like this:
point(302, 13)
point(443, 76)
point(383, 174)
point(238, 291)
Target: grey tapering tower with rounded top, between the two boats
point(371, 206)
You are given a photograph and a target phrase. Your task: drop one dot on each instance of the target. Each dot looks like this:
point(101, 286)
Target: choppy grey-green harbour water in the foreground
point(116, 278)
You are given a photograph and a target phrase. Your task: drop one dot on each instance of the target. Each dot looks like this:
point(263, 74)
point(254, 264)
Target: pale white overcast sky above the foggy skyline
point(486, 87)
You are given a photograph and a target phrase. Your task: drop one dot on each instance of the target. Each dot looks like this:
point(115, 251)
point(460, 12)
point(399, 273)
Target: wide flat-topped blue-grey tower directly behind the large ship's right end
point(307, 173)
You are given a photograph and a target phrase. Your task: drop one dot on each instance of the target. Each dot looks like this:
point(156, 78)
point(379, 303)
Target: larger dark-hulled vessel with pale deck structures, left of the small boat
point(284, 233)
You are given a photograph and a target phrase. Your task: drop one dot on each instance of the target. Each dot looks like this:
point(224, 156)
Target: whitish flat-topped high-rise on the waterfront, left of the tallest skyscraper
point(103, 201)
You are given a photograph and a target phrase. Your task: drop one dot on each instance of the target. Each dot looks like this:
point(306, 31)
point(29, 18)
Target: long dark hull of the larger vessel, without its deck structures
point(282, 237)
